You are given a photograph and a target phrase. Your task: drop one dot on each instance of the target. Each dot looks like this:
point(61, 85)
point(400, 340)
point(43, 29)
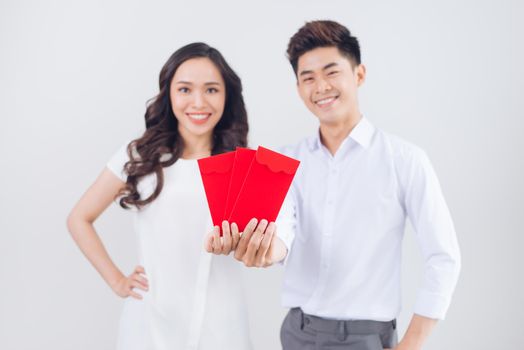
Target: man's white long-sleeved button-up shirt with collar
point(343, 222)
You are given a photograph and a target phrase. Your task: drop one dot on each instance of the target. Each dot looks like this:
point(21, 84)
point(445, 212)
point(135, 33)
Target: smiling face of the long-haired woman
point(198, 96)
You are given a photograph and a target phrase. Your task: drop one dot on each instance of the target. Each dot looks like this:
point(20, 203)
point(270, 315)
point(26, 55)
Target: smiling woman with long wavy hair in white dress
point(181, 296)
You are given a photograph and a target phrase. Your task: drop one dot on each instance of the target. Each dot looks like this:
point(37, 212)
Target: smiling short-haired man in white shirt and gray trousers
point(341, 227)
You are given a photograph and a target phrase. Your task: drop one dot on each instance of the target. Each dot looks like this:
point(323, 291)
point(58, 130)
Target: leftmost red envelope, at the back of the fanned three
point(216, 174)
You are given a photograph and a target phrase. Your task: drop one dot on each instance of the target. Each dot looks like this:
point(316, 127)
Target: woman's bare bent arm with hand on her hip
point(80, 224)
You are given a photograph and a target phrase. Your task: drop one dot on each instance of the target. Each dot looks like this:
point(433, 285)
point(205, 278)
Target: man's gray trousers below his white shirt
point(305, 332)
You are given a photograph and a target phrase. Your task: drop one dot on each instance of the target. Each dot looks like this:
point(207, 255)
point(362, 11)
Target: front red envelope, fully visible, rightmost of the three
point(264, 188)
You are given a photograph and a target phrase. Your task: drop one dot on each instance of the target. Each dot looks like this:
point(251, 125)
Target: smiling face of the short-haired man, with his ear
point(327, 83)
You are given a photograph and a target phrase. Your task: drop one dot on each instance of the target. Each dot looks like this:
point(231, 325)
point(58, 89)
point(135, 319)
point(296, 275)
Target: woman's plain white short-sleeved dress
point(195, 300)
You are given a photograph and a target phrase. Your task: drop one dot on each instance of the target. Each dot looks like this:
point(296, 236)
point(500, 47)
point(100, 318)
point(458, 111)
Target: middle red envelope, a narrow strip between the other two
point(243, 159)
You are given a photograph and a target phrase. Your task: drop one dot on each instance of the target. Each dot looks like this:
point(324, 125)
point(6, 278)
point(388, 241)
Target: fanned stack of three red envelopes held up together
point(246, 184)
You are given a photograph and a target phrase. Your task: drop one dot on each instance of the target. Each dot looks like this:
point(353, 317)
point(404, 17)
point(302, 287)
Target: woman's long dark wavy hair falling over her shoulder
point(161, 144)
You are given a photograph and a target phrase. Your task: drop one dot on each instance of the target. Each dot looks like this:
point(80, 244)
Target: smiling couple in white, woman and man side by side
point(339, 232)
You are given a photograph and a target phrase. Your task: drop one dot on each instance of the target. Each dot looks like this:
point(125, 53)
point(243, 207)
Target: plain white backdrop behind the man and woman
point(74, 79)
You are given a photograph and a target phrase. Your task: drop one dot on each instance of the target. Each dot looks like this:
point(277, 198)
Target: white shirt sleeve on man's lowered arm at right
point(435, 234)
